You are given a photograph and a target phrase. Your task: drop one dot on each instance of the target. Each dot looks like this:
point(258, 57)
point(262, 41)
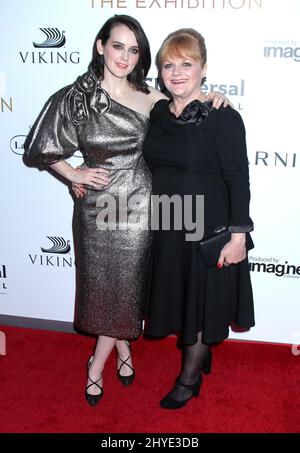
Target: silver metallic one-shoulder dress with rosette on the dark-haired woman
point(111, 231)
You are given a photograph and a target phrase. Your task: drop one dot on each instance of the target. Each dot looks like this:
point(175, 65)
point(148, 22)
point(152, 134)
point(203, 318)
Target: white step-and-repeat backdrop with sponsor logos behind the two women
point(253, 58)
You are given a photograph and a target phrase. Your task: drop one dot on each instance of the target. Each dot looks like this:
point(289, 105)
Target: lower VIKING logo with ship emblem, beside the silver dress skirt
point(53, 254)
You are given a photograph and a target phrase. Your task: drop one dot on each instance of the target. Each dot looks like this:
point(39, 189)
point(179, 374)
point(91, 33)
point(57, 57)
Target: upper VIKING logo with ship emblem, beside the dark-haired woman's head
point(55, 39)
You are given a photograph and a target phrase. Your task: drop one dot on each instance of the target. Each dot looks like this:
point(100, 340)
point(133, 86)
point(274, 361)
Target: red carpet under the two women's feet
point(253, 388)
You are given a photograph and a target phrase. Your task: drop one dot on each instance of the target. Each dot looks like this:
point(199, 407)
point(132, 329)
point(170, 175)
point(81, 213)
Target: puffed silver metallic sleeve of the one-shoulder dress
point(53, 136)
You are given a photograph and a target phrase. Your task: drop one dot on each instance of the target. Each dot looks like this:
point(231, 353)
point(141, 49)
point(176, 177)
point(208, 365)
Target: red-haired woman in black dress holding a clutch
point(193, 149)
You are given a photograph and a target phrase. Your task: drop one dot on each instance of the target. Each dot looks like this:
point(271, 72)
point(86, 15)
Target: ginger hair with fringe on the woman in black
point(185, 42)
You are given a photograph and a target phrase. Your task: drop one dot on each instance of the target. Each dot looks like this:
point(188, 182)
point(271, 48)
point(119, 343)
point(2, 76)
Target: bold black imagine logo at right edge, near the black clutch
point(273, 266)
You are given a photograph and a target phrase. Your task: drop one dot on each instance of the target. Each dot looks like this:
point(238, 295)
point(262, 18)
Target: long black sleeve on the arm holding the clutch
point(232, 153)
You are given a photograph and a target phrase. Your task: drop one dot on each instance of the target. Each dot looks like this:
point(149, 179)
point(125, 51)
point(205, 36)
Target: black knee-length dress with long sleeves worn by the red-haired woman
point(203, 152)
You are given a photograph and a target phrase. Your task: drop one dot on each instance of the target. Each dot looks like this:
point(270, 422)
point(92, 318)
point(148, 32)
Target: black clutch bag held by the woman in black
point(211, 247)
